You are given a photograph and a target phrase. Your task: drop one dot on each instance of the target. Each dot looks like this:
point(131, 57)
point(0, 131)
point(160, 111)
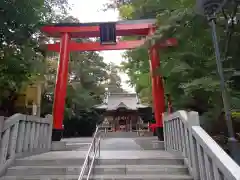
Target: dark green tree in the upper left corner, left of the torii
point(19, 44)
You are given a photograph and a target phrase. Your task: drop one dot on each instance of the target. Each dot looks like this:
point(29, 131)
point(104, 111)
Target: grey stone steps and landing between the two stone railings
point(131, 163)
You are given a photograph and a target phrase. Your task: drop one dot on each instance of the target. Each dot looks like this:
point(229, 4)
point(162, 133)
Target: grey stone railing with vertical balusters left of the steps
point(22, 135)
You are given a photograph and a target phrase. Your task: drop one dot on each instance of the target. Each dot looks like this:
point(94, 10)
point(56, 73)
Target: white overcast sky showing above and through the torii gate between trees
point(91, 11)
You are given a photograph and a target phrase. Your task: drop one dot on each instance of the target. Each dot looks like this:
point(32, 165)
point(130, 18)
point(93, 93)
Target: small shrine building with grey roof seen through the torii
point(122, 112)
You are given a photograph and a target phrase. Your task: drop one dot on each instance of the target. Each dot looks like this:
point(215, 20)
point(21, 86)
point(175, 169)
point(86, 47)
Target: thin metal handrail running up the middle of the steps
point(93, 148)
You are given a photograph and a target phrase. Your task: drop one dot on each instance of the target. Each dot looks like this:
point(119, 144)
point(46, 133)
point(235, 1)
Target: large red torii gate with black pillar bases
point(67, 31)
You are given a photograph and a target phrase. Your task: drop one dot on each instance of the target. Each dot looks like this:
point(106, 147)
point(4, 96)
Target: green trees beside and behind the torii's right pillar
point(189, 69)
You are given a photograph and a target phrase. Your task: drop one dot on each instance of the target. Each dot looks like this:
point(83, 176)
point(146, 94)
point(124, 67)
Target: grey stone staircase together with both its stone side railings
point(26, 153)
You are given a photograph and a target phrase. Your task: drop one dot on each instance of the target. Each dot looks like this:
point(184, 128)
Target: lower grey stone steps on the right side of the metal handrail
point(164, 168)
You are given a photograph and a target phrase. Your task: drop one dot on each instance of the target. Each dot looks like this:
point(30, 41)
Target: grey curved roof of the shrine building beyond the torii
point(114, 101)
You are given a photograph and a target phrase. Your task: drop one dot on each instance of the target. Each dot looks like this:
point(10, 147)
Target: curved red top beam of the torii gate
point(86, 30)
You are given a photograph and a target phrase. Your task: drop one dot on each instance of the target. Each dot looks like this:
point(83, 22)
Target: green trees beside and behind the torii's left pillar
point(24, 60)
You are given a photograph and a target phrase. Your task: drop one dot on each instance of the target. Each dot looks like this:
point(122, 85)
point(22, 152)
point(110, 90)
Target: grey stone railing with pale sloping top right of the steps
point(205, 159)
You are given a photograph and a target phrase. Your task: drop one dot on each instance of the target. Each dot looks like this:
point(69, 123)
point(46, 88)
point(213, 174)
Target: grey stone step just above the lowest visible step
point(99, 170)
